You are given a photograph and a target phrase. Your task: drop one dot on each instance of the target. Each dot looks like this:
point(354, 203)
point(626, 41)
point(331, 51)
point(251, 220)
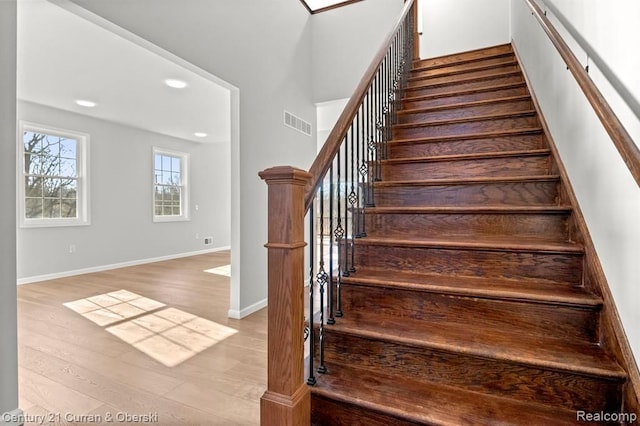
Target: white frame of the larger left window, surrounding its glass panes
point(82, 169)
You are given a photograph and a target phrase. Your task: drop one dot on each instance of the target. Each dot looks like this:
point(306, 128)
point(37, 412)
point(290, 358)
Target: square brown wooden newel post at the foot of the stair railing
point(286, 402)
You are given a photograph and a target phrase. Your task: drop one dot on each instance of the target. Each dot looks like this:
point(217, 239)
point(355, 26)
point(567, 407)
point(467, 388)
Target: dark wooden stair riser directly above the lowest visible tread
point(503, 378)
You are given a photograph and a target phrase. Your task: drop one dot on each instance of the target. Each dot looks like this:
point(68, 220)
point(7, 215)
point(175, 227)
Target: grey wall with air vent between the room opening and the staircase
point(264, 49)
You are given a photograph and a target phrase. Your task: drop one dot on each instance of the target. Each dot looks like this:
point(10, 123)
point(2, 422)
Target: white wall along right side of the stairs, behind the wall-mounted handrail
point(608, 195)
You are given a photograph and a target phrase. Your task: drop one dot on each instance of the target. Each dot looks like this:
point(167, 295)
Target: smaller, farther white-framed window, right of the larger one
point(170, 186)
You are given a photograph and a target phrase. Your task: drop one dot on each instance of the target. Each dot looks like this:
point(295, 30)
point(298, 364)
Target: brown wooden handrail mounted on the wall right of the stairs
point(619, 135)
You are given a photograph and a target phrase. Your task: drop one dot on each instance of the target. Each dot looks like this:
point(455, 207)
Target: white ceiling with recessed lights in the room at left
point(63, 57)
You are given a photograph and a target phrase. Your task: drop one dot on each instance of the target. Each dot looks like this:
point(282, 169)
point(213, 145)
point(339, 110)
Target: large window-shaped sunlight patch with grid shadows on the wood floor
point(169, 335)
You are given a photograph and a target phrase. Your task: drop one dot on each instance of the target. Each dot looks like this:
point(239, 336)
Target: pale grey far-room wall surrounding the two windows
point(122, 229)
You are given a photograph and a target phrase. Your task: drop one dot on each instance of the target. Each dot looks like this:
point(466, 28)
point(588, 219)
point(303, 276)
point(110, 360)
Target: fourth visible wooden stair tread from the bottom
point(484, 243)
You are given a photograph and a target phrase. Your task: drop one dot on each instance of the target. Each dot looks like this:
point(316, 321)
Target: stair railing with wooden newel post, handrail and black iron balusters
point(334, 194)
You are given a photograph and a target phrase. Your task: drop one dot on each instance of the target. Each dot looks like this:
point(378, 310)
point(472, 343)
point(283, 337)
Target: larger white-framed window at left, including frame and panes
point(54, 185)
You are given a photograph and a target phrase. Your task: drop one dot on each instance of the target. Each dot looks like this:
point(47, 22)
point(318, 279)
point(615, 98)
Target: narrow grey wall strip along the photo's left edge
point(8, 319)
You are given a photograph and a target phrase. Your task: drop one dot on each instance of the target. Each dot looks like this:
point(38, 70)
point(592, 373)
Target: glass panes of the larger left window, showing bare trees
point(50, 176)
